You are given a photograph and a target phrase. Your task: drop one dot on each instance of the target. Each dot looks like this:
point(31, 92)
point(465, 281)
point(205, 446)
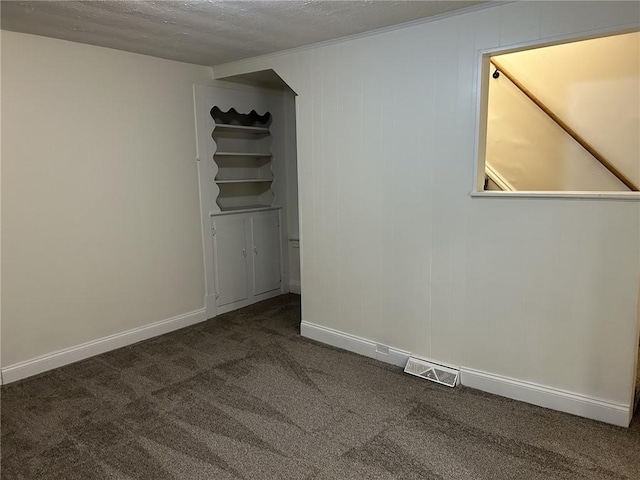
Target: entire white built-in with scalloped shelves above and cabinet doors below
point(242, 170)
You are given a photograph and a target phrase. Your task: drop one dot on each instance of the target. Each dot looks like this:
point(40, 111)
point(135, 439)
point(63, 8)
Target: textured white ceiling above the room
point(210, 32)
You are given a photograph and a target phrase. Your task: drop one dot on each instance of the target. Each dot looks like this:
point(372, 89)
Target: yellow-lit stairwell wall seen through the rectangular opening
point(594, 86)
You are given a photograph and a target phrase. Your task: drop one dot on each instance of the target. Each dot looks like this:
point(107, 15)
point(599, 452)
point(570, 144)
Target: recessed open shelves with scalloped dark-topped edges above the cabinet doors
point(243, 158)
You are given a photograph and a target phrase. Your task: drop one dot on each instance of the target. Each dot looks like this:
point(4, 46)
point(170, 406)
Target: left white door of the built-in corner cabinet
point(230, 256)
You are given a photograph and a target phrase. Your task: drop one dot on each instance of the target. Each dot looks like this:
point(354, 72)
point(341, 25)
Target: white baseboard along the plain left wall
point(57, 359)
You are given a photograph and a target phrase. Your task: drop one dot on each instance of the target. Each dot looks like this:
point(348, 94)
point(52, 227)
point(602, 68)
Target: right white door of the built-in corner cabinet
point(265, 229)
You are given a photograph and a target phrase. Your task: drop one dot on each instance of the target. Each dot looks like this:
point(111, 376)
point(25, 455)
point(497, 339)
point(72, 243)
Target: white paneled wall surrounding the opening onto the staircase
point(395, 250)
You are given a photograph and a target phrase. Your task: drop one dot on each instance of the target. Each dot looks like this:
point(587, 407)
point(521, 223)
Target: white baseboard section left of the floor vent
point(353, 343)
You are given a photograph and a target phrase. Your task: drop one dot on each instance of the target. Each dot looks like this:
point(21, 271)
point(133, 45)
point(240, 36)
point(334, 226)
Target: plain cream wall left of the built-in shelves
point(100, 211)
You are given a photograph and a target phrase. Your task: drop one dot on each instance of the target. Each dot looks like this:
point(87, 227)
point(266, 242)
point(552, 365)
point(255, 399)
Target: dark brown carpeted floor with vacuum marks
point(243, 396)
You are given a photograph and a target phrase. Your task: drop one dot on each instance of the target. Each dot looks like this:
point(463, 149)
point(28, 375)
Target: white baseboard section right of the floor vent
point(553, 398)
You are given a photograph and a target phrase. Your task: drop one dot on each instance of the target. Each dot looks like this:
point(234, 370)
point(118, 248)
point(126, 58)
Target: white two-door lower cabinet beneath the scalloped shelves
point(247, 258)
